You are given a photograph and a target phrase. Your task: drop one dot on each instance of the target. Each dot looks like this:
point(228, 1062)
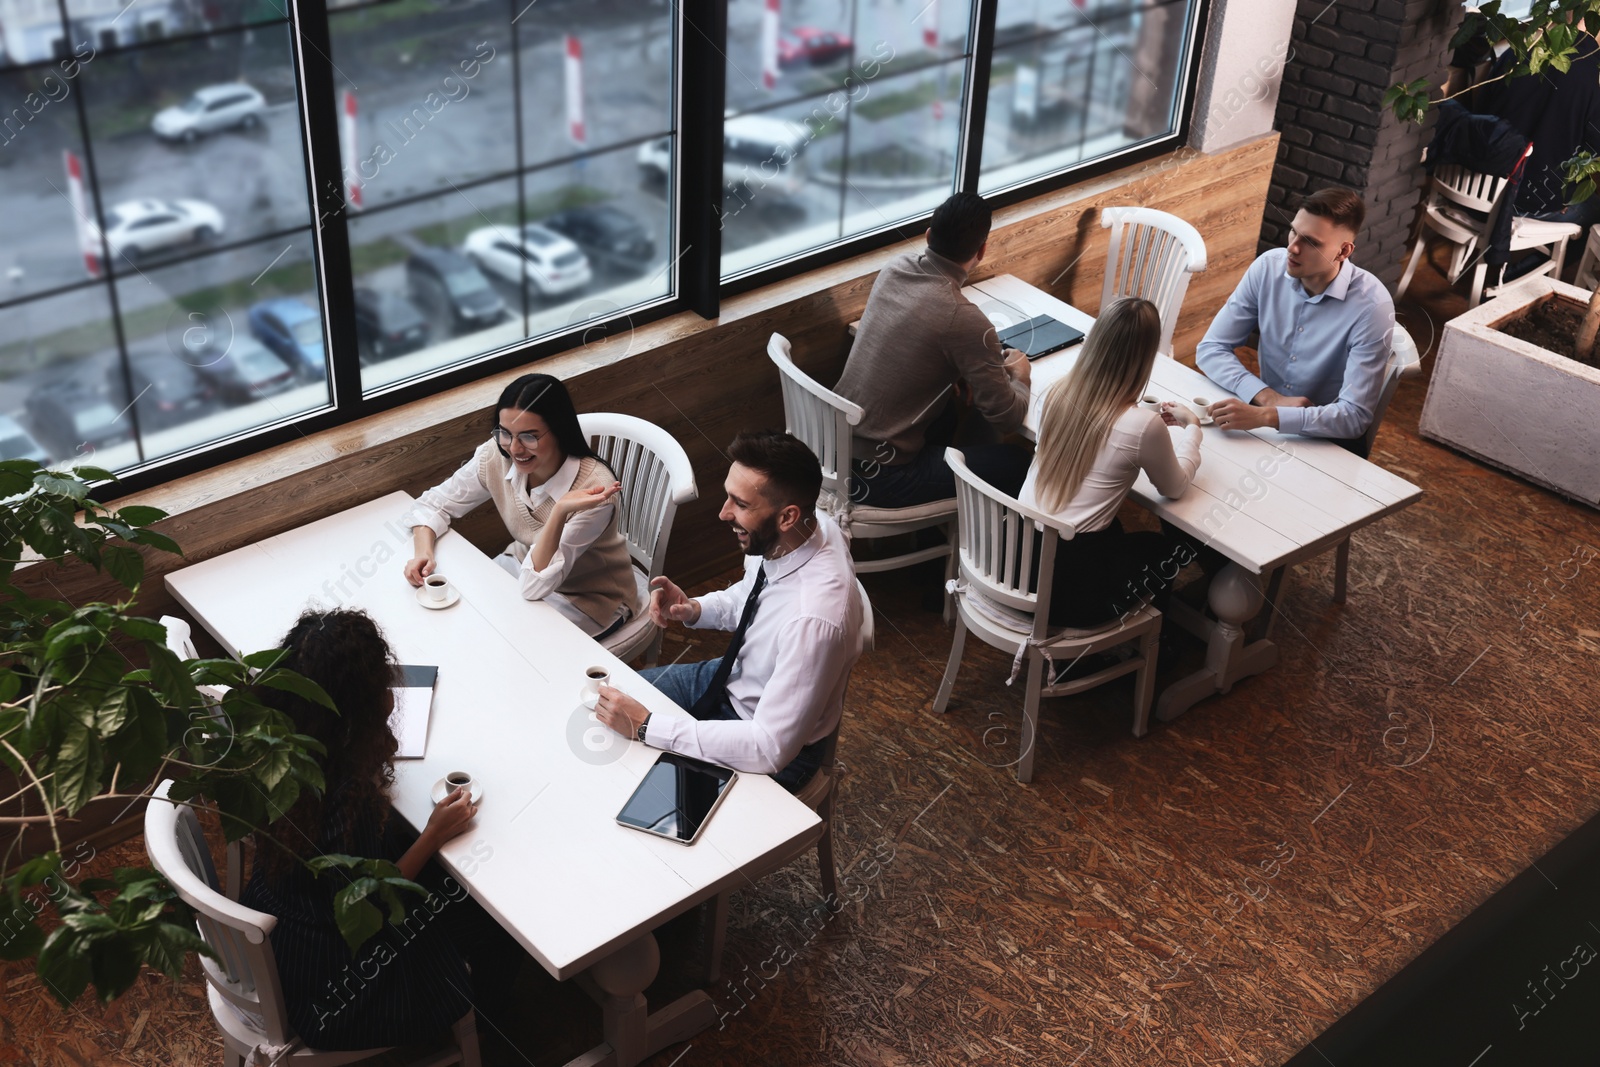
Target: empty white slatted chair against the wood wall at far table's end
point(1151, 255)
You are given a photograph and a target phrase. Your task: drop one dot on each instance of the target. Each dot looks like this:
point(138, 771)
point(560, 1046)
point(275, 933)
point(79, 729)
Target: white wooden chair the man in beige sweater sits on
point(822, 418)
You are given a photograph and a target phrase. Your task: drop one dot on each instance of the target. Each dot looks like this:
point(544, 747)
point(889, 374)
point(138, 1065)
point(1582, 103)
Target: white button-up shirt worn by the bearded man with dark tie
point(790, 681)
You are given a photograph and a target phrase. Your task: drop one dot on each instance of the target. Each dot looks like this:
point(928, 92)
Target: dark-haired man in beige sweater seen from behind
point(918, 342)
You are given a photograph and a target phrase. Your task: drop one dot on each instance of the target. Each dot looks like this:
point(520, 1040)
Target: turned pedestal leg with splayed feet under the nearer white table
point(633, 1033)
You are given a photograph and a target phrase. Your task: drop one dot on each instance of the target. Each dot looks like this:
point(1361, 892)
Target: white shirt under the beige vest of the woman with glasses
point(463, 492)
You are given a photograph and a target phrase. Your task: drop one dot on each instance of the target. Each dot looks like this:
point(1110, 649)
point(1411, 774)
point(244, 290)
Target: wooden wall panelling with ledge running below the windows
point(703, 382)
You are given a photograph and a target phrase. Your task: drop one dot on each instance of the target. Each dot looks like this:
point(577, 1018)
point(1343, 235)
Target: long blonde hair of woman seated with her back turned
point(1079, 410)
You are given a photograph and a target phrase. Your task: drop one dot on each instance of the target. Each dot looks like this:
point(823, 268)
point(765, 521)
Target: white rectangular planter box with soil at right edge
point(1516, 406)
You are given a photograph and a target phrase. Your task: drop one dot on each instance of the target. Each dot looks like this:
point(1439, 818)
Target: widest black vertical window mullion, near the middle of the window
point(698, 188)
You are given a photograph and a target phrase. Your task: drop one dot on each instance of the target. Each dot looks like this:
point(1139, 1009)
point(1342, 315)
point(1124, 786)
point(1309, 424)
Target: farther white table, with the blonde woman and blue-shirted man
point(1265, 500)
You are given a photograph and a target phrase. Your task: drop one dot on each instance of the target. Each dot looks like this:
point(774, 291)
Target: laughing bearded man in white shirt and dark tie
point(778, 693)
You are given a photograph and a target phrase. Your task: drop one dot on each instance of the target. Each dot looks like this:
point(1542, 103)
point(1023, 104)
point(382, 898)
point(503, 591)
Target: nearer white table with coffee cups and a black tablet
point(545, 855)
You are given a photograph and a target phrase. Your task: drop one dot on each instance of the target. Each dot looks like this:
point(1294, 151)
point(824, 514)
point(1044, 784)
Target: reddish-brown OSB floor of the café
point(1218, 892)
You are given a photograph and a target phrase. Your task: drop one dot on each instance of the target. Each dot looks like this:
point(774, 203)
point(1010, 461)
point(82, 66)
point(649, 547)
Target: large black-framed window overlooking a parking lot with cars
point(231, 222)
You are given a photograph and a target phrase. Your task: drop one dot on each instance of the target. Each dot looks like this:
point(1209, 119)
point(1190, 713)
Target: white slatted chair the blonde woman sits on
point(999, 541)
